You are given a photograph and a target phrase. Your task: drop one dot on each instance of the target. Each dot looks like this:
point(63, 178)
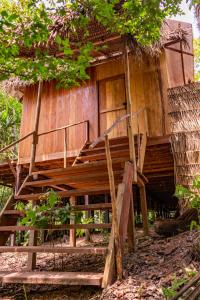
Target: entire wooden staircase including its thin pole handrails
point(101, 168)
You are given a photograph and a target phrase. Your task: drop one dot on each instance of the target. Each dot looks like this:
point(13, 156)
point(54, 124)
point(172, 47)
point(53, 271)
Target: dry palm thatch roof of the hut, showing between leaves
point(171, 32)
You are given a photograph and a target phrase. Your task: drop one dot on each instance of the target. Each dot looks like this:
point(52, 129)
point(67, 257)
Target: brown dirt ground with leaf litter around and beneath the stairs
point(147, 270)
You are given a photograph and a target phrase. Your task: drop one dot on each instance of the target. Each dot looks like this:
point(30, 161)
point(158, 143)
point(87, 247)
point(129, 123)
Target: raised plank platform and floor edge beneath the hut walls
point(90, 171)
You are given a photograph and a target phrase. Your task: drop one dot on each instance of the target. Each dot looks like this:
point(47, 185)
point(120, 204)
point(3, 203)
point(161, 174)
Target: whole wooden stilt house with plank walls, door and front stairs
point(108, 137)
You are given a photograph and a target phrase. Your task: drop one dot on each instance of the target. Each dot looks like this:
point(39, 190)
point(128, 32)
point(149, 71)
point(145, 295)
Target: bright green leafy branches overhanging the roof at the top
point(26, 25)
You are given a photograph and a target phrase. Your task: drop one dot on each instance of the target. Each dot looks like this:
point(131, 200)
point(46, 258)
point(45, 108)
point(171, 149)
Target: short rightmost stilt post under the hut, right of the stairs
point(143, 203)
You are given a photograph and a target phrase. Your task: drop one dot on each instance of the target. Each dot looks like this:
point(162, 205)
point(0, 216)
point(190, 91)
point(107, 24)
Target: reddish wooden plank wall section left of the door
point(59, 108)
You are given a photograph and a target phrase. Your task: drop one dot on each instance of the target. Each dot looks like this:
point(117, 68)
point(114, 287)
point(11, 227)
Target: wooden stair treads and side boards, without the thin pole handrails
point(89, 176)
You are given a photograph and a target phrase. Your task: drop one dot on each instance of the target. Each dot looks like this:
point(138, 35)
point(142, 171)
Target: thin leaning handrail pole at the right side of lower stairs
point(114, 211)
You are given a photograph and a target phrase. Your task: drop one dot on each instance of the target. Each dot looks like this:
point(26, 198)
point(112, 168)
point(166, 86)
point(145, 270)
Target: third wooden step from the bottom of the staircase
point(56, 227)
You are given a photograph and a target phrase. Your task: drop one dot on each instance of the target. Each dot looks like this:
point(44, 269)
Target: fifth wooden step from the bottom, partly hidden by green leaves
point(69, 193)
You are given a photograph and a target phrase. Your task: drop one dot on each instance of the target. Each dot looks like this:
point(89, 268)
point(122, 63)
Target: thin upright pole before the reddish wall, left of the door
point(35, 130)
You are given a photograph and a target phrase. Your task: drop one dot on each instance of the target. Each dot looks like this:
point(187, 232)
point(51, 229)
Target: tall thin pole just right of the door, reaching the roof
point(129, 110)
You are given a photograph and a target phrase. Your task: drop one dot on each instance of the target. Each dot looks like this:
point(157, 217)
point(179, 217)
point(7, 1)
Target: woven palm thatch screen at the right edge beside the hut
point(184, 102)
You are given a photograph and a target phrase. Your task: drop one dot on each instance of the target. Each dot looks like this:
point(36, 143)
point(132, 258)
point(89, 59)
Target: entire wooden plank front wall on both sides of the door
point(62, 107)
